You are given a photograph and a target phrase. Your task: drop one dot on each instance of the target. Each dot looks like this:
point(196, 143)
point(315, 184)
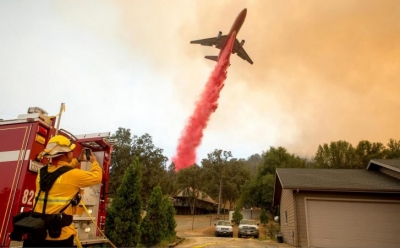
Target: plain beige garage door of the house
point(333, 223)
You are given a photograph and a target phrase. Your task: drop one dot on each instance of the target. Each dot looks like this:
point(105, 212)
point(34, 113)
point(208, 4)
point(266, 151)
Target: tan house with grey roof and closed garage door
point(340, 207)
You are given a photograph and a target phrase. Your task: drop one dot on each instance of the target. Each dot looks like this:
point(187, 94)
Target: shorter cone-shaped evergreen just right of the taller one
point(154, 225)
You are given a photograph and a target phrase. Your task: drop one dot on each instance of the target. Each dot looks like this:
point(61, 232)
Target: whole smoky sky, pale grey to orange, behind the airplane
point(323, 70)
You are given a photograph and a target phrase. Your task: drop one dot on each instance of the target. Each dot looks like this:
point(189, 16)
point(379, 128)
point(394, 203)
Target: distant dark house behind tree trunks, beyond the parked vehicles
point(204, 203)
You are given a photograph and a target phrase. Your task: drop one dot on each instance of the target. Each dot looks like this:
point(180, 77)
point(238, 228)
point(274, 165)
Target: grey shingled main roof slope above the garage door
point(336, 180)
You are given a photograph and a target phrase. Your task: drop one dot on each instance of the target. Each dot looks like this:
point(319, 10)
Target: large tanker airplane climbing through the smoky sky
point(221, 40)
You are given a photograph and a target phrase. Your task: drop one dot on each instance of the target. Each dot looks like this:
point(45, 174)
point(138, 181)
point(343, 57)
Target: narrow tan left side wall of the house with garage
point(288, 217)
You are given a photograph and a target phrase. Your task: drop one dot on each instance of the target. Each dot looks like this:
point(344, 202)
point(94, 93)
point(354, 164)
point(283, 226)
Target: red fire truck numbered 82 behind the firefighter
point(21, 140)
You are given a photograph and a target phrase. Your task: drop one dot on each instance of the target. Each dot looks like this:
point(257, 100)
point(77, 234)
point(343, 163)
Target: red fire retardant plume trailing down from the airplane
point(208, 103)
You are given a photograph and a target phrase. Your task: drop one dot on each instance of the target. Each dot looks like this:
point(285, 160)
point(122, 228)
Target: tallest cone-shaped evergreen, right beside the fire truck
point(124, 214)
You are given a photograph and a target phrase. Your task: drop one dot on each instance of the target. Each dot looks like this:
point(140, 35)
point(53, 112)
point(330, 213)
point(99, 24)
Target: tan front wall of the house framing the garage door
point(301, 209)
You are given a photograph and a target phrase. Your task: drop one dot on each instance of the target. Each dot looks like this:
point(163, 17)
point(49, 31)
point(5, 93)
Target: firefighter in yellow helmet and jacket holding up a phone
point(65, 188)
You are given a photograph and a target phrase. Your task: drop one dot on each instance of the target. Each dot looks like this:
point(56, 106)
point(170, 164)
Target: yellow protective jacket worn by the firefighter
point(64, 189)
